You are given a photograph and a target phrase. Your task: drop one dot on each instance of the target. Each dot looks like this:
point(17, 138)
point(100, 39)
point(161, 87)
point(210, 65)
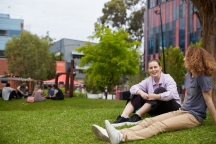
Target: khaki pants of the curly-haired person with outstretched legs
point(149, 127)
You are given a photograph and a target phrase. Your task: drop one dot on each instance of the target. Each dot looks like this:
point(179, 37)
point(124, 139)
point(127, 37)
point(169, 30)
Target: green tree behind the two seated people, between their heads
point(174, 64)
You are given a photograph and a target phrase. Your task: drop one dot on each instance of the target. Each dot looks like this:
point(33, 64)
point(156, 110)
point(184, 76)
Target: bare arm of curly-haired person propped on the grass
point(208, 99)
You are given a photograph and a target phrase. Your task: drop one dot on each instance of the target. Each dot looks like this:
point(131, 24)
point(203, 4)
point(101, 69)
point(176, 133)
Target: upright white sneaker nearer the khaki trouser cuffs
point(114, 135)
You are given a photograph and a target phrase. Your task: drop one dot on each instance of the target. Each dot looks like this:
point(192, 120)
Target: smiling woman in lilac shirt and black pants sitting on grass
point(155, 95)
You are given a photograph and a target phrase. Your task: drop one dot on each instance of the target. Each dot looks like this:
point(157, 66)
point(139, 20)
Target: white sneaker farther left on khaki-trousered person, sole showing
point(100, 133)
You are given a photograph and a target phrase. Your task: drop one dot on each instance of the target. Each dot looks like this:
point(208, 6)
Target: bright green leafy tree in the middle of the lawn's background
point(112, 57)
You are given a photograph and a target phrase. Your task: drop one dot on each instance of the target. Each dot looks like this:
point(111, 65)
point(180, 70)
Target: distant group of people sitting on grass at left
point(38, 95)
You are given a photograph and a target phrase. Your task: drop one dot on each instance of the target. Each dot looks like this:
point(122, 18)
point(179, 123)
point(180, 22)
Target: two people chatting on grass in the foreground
point(157, 95)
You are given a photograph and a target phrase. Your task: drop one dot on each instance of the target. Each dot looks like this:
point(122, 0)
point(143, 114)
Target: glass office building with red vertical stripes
point(180, 26)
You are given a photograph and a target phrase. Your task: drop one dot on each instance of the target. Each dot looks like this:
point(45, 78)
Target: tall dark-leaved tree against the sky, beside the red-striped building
point(124, 13)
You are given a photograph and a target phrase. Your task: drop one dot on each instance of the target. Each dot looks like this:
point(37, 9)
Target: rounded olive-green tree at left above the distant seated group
point(28, 56)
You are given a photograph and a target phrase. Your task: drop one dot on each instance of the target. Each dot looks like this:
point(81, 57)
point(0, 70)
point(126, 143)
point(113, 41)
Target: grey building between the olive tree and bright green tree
point(67, 47)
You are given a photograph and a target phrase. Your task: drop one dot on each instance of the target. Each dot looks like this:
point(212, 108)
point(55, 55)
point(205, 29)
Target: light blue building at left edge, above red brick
point(9, 27)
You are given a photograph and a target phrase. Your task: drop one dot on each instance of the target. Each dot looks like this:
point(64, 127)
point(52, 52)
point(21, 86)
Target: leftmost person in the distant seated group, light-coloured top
point(8, 92)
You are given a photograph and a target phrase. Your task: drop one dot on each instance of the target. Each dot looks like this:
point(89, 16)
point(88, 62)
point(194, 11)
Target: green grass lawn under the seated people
point(69, 122)
